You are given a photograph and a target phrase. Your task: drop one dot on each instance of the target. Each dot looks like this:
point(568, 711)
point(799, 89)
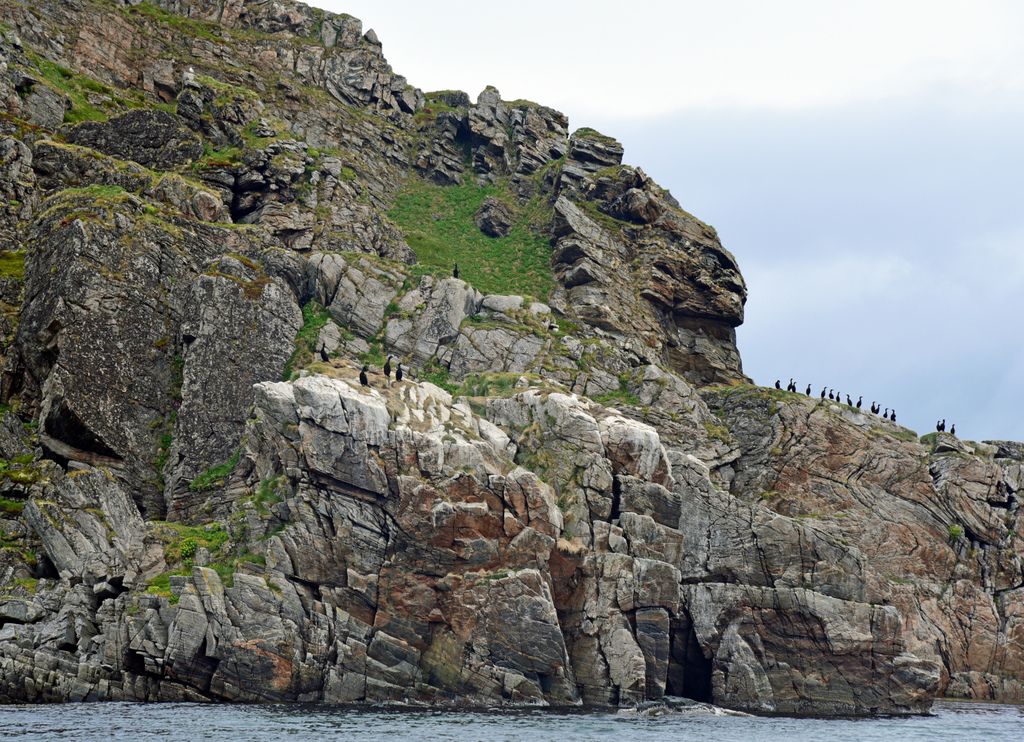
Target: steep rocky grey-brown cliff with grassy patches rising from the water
point(217, 211)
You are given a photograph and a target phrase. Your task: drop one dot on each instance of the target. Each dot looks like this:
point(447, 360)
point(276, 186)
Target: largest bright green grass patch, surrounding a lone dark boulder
point(438, 223)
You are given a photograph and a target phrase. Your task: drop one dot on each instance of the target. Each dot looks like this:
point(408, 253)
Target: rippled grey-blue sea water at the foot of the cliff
point(189, 723)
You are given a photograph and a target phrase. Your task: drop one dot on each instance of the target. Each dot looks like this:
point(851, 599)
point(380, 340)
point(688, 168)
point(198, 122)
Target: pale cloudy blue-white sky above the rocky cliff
point(865, 162)
